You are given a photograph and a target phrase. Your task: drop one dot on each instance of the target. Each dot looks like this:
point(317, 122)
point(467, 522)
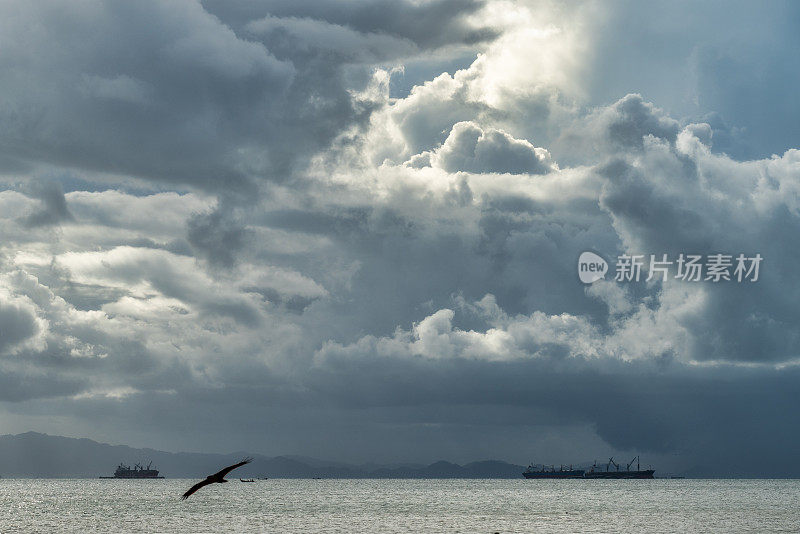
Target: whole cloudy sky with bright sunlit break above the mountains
point(351, 230)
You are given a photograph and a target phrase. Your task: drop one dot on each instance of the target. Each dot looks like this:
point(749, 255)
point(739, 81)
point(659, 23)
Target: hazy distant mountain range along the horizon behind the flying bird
point(42, 456)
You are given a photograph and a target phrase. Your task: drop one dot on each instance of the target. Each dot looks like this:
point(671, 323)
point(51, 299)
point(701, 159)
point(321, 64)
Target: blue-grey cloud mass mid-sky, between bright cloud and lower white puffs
point(406, 260)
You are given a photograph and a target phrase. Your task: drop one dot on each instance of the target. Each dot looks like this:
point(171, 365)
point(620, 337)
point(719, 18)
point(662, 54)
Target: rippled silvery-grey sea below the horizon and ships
point(375, 506)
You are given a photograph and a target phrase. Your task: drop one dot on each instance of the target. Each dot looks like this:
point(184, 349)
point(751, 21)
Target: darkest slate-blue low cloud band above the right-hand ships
point(644, 406)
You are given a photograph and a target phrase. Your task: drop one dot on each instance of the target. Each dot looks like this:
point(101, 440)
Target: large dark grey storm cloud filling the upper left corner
point(168, 91)
